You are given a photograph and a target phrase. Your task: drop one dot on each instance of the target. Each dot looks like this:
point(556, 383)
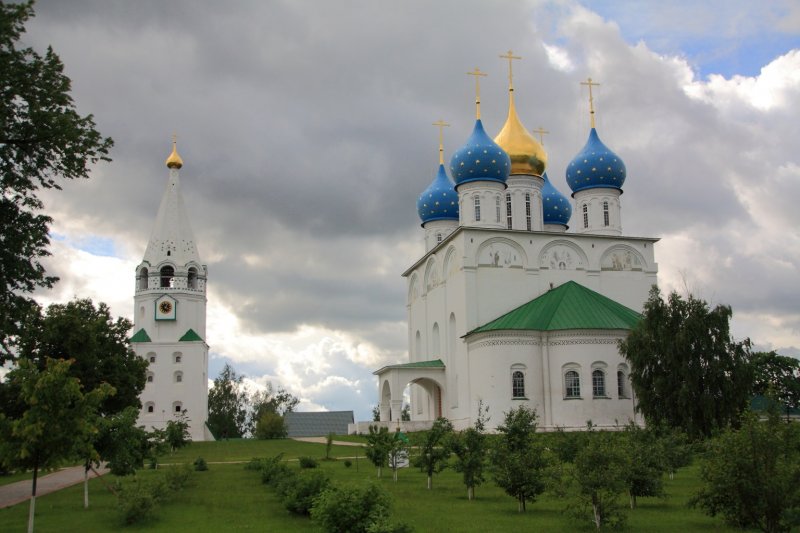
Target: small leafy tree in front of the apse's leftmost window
point(518, 461)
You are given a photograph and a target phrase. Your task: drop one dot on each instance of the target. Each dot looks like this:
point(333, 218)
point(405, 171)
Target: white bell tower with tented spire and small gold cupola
point(170, 317)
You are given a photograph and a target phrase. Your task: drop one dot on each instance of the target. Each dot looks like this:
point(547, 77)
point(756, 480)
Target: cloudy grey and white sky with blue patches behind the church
point(305, 130)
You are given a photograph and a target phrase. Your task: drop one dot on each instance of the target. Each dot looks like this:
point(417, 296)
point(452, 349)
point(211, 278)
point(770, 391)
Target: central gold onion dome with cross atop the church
point(526, 153)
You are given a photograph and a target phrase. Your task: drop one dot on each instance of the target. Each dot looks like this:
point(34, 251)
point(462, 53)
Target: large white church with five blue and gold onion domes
point(521, 296)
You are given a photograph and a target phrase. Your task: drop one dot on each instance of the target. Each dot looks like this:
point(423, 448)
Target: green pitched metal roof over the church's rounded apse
point(569, 306)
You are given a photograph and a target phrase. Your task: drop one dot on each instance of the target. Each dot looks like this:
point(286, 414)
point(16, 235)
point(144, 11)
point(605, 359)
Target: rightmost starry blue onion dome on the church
point(595, 166)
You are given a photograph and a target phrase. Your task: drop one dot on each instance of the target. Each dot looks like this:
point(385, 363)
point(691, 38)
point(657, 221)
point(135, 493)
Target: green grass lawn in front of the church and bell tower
point(229, 498)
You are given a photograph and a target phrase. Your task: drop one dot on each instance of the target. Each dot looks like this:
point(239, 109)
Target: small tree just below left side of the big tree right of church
point(646, 463)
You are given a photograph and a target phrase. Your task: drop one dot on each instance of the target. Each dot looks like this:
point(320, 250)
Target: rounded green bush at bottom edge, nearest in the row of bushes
point(351, 509)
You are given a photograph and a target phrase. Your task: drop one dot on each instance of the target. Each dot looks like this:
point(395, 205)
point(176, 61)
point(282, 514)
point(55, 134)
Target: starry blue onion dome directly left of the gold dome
point(480, 159)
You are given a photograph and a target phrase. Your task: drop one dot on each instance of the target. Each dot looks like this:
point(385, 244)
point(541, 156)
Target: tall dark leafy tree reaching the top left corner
point(43, 141)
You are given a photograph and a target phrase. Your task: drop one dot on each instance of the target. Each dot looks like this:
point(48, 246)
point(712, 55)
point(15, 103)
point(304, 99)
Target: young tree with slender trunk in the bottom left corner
point(57, 415)
